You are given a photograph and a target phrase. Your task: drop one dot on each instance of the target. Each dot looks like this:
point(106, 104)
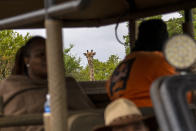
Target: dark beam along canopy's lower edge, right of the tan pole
point(135, 14)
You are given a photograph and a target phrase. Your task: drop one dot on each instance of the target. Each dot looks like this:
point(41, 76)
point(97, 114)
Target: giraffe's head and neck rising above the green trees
point(89, 56)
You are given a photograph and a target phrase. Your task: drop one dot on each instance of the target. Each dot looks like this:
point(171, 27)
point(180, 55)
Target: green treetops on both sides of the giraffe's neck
point(102, 70)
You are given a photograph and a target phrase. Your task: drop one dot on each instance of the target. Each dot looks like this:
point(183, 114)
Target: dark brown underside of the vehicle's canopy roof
point(96, 12)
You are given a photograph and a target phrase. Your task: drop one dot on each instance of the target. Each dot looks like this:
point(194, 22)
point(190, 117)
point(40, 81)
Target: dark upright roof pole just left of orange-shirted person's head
point(132, 33)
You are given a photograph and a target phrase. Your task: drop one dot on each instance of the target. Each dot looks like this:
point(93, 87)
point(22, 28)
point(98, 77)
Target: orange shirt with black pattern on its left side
point(133, 77)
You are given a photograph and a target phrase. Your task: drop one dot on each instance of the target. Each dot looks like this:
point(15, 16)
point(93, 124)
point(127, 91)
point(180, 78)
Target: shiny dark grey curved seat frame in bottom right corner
point(172, 109)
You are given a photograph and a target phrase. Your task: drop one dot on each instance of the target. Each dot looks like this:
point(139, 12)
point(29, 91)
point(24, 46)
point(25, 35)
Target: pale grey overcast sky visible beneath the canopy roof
point(101, 40)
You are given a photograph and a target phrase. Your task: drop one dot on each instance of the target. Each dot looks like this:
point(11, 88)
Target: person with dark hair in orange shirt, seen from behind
point(134, 75)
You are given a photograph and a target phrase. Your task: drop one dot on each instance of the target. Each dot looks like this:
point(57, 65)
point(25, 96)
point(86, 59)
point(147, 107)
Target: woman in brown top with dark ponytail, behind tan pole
point(24, 91)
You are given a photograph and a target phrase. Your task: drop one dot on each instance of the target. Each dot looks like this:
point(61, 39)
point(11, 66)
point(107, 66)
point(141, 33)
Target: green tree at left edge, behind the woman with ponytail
point(10, 42)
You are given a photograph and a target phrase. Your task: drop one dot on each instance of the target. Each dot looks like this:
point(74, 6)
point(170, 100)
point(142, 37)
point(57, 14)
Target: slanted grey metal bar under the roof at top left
point(39, 15)
